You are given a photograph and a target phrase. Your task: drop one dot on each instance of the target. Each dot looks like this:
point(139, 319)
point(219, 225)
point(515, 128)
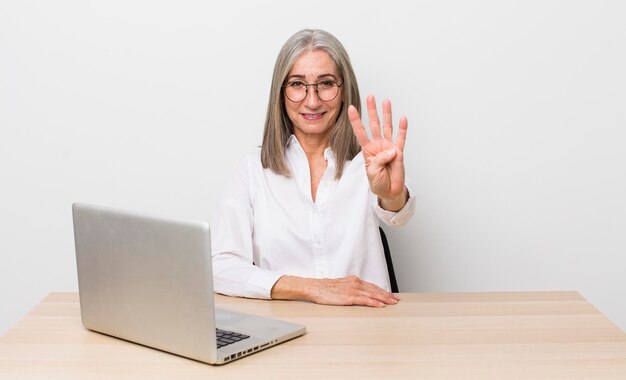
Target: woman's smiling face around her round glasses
point(313, 117)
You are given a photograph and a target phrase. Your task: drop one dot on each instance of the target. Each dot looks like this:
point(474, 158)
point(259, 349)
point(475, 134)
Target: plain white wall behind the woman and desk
point(517, 139)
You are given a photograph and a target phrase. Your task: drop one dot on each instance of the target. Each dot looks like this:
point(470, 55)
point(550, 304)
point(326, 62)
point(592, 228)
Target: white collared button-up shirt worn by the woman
point(267, 225)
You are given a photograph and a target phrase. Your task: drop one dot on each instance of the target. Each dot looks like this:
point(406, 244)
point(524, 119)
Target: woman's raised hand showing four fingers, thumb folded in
point(384, 159)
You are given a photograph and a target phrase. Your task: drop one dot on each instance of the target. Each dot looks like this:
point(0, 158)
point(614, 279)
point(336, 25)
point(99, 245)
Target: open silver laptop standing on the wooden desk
point(148, 280)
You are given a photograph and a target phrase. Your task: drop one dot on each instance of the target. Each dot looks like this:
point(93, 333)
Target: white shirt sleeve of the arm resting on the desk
point(234, 273)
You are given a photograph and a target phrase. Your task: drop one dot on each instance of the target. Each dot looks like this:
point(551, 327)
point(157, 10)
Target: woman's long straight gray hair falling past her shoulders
point(278, 126)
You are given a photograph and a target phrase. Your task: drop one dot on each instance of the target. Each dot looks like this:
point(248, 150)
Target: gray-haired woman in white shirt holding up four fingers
point(300, 218)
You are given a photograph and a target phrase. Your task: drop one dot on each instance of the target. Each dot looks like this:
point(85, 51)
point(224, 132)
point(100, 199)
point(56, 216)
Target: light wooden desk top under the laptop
point(427, 336)
